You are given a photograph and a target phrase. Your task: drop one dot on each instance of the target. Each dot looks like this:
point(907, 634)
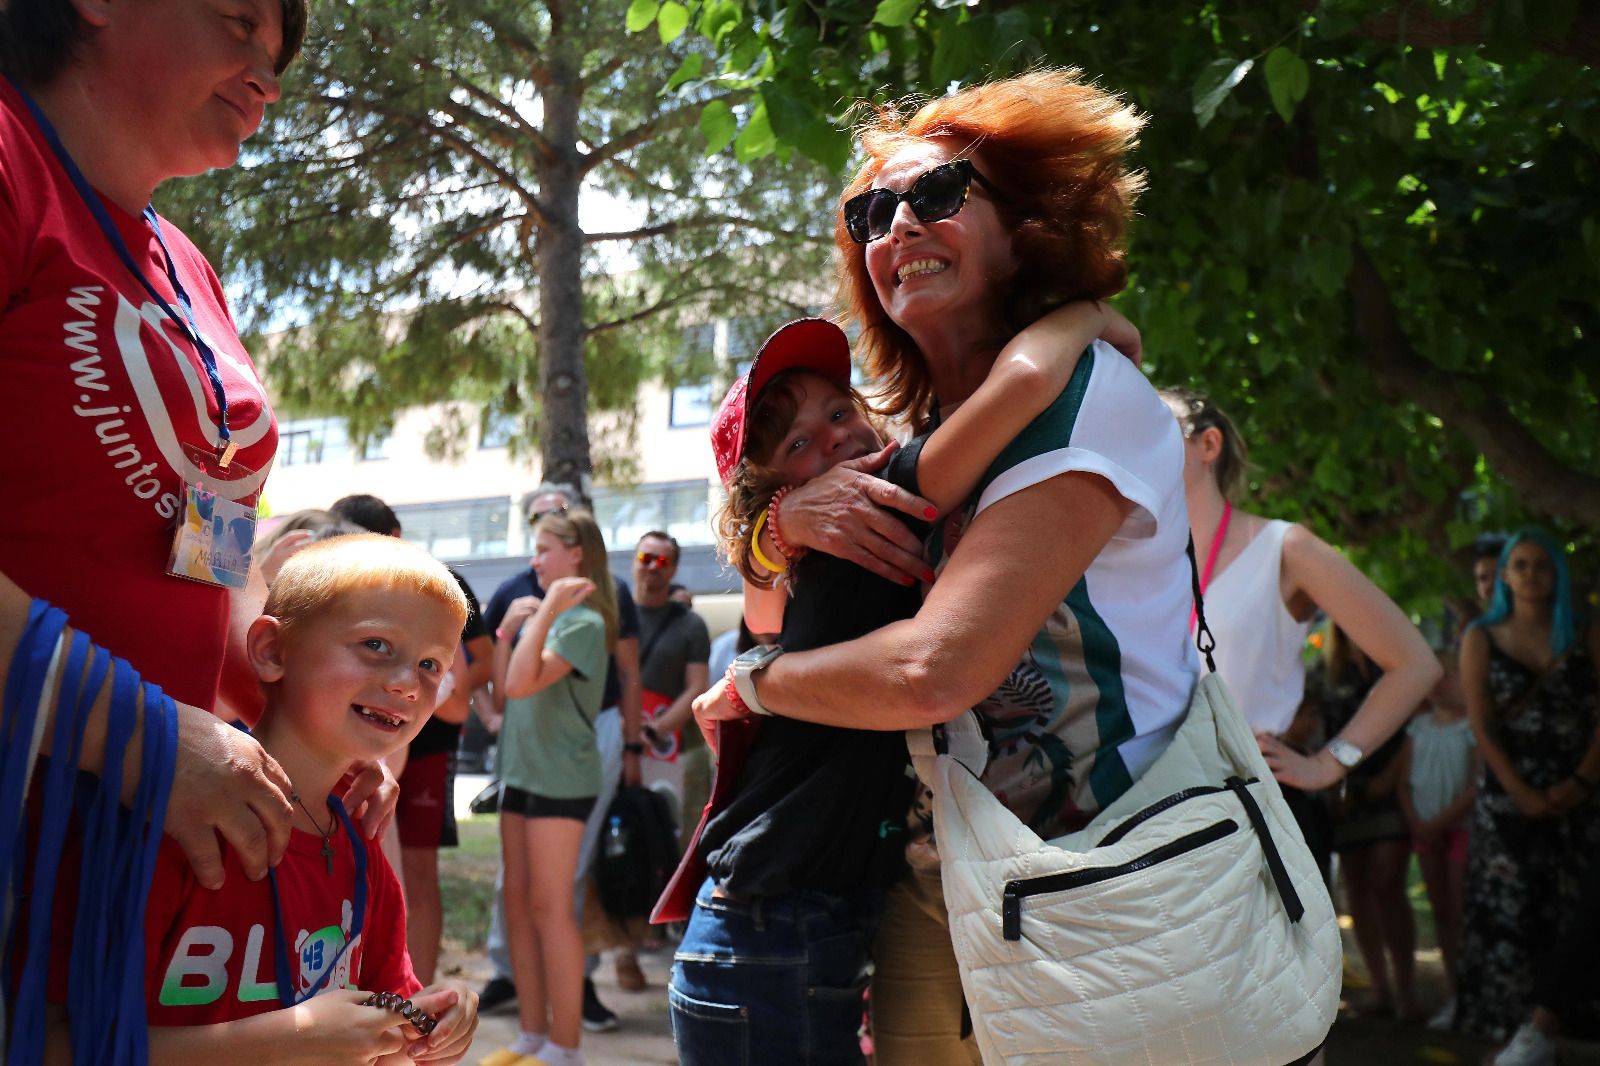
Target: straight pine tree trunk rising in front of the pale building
point(564, 387)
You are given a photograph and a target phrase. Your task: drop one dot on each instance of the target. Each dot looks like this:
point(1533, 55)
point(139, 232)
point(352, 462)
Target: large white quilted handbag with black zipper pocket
point(1185, 926)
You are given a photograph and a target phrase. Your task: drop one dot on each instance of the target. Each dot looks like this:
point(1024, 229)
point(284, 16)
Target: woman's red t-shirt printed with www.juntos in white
point(102, 393)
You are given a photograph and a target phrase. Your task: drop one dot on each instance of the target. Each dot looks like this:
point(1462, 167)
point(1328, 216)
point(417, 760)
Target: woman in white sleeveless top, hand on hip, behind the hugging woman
point(1263, 580)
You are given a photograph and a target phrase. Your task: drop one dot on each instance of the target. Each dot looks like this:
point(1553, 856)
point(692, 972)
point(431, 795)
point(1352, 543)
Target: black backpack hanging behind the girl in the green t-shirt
point(639, 851)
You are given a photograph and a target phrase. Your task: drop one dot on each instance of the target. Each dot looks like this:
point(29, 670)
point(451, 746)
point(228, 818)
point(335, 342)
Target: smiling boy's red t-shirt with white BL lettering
point(210, 955)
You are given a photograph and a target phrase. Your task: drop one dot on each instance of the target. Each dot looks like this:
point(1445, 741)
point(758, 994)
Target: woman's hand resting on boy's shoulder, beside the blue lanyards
point(225, 783)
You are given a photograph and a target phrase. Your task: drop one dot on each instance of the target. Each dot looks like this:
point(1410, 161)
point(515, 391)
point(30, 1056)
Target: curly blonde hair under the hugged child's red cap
point(753, 483)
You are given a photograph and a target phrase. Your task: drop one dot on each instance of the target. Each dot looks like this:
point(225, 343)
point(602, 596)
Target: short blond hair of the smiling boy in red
point(318, 577)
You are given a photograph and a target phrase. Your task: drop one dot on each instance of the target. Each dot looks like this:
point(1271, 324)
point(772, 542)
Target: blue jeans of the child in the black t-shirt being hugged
point(774, 982)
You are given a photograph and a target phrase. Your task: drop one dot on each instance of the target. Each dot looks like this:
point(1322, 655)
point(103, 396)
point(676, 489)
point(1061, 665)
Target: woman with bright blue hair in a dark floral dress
point(1529, 675)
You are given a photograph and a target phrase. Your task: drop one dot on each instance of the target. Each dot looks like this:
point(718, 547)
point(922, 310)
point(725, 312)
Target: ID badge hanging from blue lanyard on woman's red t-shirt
point(215, 535)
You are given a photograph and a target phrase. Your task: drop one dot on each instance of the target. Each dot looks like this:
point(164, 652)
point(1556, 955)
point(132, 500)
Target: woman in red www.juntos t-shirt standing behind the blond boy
point(118, 406)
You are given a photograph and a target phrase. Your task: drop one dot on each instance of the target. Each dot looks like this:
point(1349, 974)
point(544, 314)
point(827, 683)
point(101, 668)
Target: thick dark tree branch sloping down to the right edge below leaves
point(1542, 479)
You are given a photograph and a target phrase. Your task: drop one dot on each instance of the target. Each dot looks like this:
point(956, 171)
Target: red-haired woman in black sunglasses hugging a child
point(1063, 598)
